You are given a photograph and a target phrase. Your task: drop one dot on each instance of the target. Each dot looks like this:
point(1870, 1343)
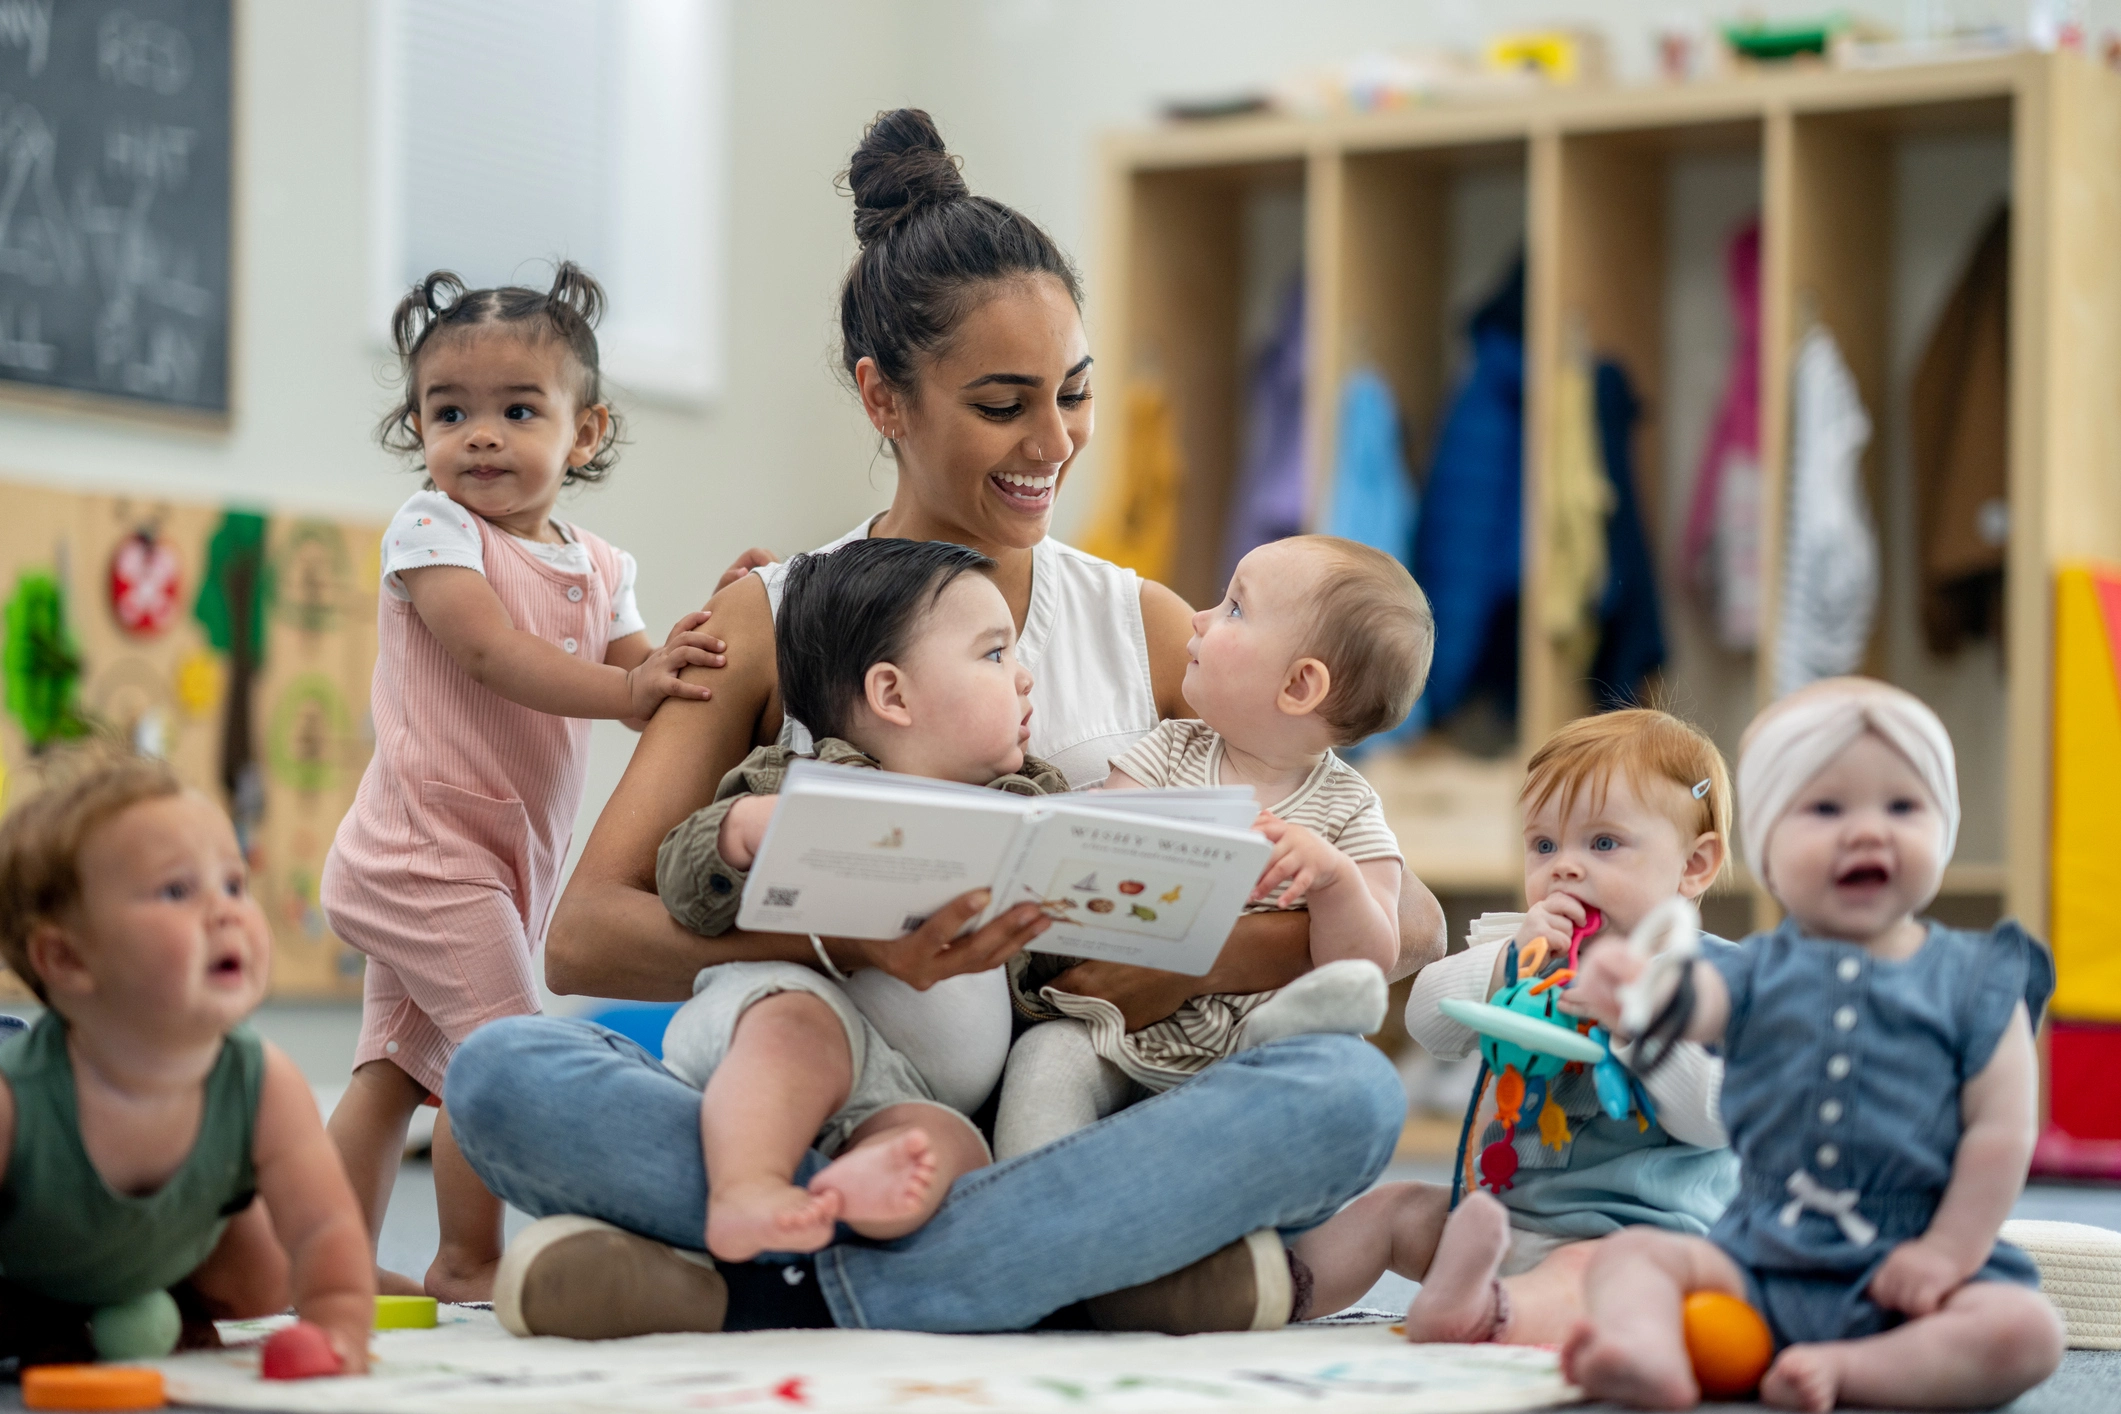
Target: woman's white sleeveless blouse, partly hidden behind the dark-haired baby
point(1087, 654)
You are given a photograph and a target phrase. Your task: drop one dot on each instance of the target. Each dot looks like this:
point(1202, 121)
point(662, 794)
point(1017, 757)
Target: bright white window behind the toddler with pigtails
point(516, 132)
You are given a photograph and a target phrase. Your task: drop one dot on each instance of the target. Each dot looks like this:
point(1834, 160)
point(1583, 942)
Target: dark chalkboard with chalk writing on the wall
point(116, 198)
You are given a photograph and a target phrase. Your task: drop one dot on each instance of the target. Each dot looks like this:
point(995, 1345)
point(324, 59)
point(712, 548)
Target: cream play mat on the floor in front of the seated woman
point(470, 1366)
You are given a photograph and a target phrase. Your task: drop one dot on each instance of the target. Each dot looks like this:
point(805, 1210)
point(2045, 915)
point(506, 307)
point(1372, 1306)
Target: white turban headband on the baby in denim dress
point(1793, 741)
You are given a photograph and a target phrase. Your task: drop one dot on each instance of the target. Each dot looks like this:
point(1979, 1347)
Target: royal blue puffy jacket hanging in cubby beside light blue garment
point(1469, 548)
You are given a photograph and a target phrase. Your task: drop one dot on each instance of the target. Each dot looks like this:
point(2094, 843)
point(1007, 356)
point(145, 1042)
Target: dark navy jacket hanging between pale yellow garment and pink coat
point(1632, 633)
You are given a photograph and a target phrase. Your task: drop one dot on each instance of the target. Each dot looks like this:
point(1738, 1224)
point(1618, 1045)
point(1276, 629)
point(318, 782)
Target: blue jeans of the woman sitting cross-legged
point(563, 1116)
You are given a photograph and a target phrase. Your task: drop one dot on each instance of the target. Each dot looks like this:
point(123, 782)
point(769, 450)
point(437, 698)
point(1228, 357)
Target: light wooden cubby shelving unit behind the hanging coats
point(1592, 188)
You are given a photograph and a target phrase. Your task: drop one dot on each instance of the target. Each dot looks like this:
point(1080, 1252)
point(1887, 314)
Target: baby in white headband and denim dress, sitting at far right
point(1853, 1080)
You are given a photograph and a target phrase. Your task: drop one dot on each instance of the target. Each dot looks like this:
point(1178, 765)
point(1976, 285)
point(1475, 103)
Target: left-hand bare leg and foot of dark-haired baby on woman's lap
point(786, 1074)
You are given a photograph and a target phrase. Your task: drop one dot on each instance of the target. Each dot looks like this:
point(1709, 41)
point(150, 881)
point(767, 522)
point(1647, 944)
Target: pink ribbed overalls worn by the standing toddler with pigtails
point(446, 866)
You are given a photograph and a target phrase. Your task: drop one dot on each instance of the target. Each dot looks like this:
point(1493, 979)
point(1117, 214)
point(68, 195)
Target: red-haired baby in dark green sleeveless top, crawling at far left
point(160, 1165)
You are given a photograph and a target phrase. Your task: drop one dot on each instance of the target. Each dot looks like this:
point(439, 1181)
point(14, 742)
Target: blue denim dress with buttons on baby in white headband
point(1842, 1095)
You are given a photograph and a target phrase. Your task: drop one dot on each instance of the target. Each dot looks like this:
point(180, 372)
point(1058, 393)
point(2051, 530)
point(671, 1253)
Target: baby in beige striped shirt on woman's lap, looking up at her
point(1318, 643)
